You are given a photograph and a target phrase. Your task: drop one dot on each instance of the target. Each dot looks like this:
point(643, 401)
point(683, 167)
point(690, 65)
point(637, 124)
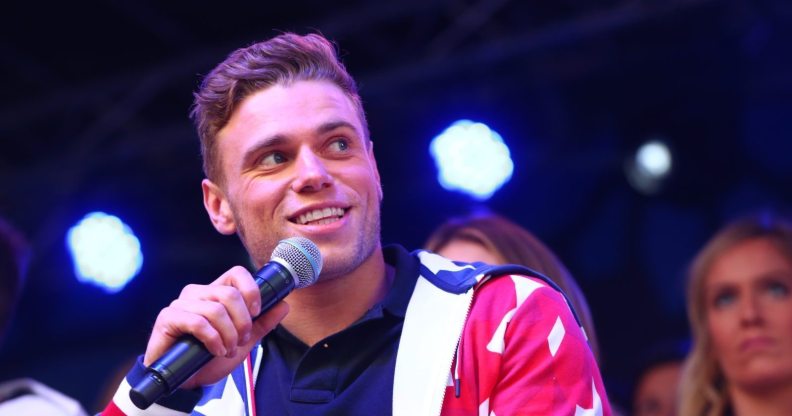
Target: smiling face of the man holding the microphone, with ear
point(294, 163)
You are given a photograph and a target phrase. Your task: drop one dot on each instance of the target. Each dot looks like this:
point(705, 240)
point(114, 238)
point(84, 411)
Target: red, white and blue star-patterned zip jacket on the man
point(477, 340)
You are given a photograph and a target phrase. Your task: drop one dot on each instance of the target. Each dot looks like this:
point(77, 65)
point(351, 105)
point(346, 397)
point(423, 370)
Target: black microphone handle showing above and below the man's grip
point(188, 355)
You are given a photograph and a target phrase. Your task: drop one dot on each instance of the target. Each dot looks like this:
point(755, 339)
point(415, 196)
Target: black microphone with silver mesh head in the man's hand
point(295, 263)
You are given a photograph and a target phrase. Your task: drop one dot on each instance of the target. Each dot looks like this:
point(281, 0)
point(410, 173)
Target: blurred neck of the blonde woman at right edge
point(766, 401)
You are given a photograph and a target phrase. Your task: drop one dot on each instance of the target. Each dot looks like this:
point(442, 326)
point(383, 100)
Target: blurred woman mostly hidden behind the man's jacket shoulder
point(493, 239)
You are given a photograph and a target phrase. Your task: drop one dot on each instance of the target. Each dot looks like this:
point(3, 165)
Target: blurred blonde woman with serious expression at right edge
point(740, 312)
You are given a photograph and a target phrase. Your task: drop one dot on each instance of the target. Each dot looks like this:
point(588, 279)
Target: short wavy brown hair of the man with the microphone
point(283, 59)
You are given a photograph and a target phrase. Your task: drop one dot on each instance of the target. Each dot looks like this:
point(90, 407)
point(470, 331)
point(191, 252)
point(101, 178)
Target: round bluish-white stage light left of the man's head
point(105, 251)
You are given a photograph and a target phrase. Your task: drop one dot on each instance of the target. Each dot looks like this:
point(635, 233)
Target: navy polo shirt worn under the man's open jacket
point(347, 373)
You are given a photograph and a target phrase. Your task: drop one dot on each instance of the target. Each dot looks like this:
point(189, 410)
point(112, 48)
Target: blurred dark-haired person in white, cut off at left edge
point(23, 396)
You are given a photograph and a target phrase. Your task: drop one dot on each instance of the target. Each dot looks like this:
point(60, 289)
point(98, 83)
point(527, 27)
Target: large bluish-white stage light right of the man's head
point(471, 158)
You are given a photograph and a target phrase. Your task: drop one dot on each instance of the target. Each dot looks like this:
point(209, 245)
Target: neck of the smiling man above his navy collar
point(329, 306)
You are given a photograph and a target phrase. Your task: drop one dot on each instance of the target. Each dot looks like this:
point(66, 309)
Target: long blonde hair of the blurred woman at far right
point(703, 387)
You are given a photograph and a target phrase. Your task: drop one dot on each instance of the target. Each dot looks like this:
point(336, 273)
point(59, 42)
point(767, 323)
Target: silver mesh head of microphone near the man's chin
point(302, 255)
